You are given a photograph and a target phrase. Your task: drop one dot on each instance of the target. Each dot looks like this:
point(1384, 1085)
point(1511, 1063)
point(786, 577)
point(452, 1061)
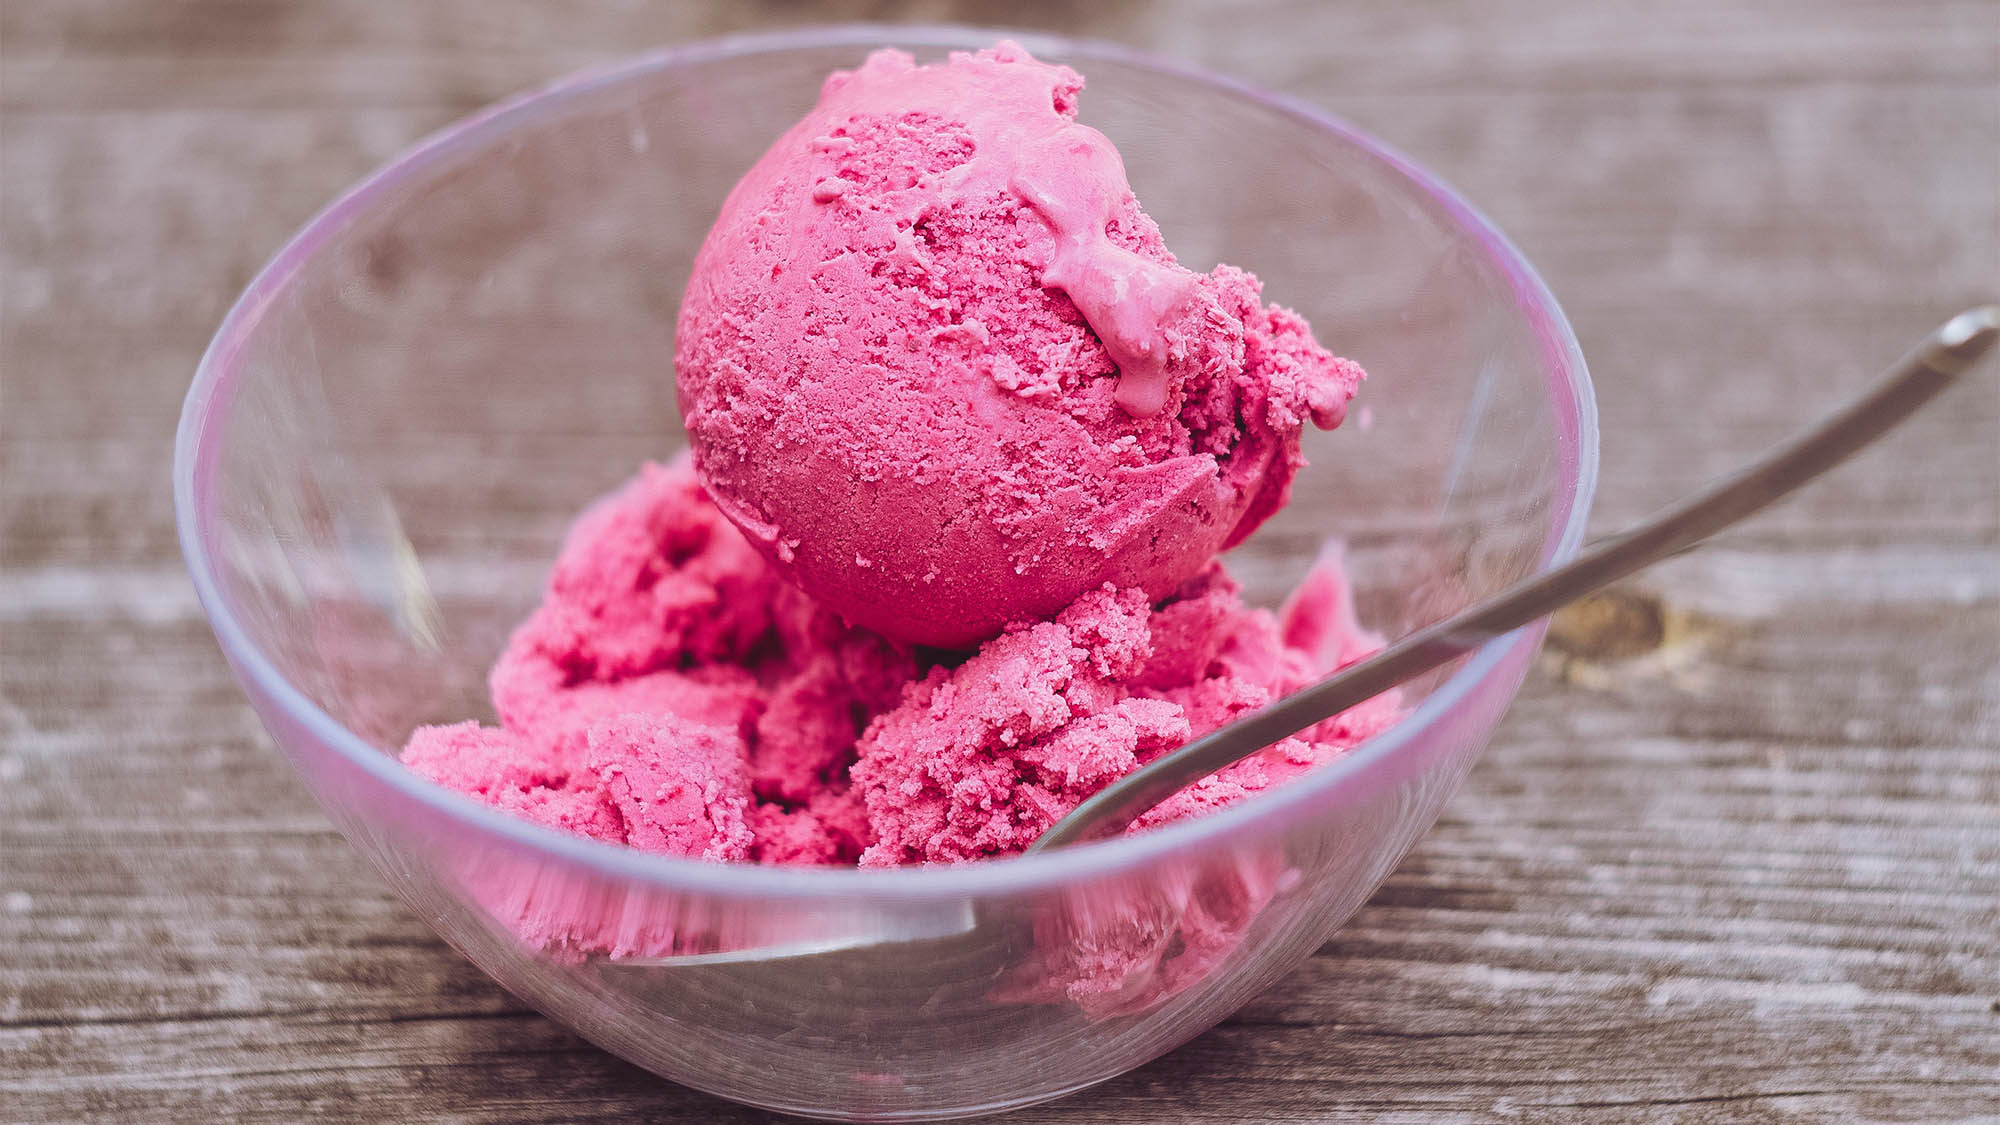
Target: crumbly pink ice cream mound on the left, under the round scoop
point(675, 696)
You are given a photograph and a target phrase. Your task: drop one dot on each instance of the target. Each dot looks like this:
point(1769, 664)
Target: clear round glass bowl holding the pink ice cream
point(397, 421)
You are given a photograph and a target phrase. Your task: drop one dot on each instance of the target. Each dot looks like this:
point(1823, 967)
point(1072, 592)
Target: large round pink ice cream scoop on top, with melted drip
point(939, 365)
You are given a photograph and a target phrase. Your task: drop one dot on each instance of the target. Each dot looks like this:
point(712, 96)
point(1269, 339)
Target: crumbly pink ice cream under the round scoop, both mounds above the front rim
point(677, 696)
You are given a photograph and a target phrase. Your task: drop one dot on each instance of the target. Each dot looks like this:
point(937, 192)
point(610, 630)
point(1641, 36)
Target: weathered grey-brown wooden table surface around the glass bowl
point(1735, 854)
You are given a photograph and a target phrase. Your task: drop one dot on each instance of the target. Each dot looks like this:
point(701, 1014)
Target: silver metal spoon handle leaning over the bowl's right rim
point(1923, 373)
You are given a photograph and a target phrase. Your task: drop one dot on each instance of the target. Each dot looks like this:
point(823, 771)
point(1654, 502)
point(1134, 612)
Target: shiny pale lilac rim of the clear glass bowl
point(195, 461)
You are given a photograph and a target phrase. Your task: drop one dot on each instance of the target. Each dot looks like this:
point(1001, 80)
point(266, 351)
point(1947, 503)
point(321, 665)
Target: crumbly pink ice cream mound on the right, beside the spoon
point(985, 758)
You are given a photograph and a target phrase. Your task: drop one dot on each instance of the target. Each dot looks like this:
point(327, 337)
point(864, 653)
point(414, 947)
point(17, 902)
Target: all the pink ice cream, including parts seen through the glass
point(967, 441)
